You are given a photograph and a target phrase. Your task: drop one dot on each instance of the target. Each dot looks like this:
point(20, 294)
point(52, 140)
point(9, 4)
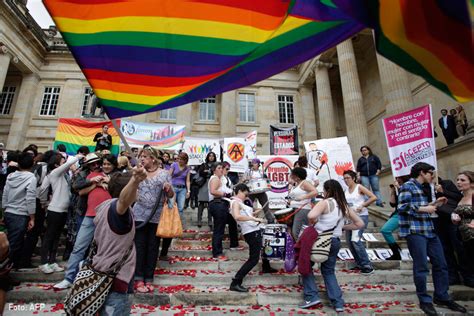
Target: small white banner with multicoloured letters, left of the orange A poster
point(198, 148)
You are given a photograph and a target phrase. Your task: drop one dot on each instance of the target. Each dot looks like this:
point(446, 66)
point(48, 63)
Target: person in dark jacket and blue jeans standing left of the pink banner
point(368, 169)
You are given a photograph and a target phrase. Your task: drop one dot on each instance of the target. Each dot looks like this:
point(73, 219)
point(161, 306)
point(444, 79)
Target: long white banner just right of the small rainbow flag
point(159, 136)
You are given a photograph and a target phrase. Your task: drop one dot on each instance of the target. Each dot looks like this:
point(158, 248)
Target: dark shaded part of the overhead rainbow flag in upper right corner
point(431, 38)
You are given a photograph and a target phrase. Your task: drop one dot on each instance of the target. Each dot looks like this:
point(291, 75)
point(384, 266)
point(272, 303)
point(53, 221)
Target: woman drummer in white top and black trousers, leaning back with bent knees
point(249, 225)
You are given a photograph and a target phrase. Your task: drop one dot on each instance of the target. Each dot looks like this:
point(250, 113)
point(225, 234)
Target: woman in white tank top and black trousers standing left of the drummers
point(219, 209)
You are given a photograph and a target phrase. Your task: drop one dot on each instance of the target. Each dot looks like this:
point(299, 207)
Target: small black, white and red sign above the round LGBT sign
point(283, 141)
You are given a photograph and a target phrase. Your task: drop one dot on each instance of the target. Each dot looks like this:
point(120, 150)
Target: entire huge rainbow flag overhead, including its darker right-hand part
point(147, 55)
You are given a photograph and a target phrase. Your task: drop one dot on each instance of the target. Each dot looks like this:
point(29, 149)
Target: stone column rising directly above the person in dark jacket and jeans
point(356, 124)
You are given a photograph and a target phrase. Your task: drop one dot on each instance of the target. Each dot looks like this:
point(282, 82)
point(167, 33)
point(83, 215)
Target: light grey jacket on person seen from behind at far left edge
point(19, 194)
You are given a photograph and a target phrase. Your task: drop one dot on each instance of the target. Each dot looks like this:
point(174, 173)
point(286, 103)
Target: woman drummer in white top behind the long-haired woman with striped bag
point(300, 198)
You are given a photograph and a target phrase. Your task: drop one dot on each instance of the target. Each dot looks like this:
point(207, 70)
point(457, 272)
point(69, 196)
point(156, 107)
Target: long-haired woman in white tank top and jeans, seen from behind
point(325, 215)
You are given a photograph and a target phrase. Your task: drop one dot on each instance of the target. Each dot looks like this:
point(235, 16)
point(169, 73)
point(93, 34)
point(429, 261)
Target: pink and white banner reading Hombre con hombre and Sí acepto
point(410, 139)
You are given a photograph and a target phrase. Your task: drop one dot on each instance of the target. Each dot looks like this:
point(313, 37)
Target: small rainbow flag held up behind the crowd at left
point(75, 133)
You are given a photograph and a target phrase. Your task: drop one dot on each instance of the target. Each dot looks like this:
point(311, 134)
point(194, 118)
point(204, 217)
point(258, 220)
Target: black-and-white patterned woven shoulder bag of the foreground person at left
point(91, 287)
